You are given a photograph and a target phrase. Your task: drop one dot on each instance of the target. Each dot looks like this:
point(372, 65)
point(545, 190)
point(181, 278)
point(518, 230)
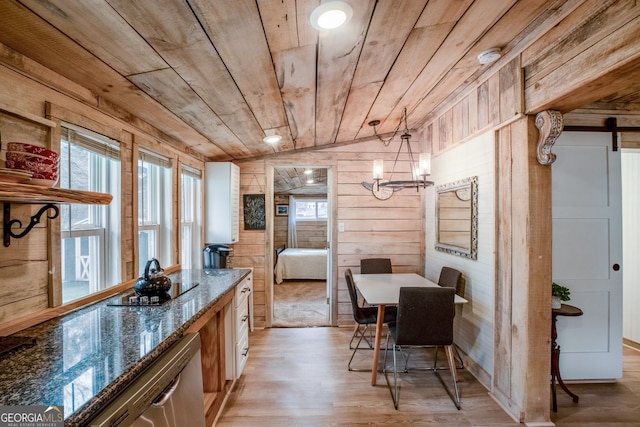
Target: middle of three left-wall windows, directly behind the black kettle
point(154, 209)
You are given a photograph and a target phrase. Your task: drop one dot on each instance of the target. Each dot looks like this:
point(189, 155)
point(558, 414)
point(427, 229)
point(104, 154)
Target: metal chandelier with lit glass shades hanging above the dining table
point(419, 170)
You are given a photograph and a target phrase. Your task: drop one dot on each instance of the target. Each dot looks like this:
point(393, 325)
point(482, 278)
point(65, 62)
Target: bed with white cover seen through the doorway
point(301, 263)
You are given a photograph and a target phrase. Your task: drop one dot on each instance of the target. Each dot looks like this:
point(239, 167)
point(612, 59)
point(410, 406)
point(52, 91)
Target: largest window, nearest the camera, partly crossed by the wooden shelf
point(90, 233)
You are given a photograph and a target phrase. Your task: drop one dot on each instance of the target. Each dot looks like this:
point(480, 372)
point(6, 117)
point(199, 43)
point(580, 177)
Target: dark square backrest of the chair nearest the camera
point(425, 316)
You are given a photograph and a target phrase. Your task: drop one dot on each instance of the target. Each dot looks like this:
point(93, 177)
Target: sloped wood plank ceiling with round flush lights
point(218, 75)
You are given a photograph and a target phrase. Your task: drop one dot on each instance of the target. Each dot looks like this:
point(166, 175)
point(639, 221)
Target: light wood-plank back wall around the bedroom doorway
point(391, 228)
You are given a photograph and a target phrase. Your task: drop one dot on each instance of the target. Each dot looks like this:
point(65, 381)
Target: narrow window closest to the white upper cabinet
point(191, 218)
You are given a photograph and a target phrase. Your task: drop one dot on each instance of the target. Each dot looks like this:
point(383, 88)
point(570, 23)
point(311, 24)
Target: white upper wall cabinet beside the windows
point(222, 201)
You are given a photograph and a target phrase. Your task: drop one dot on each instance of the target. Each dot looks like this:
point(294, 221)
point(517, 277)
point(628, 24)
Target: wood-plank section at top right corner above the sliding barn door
point(587, 56)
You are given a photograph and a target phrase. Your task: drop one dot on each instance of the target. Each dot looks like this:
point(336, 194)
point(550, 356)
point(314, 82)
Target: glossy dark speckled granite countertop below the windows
point(85, 358)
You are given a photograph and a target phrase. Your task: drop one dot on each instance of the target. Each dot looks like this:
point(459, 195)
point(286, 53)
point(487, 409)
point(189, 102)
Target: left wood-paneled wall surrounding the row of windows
point(31, 281)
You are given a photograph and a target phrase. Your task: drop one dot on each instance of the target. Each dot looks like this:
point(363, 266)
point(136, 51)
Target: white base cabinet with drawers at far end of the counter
point(238, 322)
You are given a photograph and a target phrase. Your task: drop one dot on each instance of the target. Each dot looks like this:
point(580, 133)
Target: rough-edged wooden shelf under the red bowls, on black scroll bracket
point(24, 193)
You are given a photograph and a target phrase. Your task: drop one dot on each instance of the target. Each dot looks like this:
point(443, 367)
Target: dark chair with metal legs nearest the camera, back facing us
point(424, 319)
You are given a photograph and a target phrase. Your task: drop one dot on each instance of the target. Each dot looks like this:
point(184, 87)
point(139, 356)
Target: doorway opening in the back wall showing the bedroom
point(301, 238)
